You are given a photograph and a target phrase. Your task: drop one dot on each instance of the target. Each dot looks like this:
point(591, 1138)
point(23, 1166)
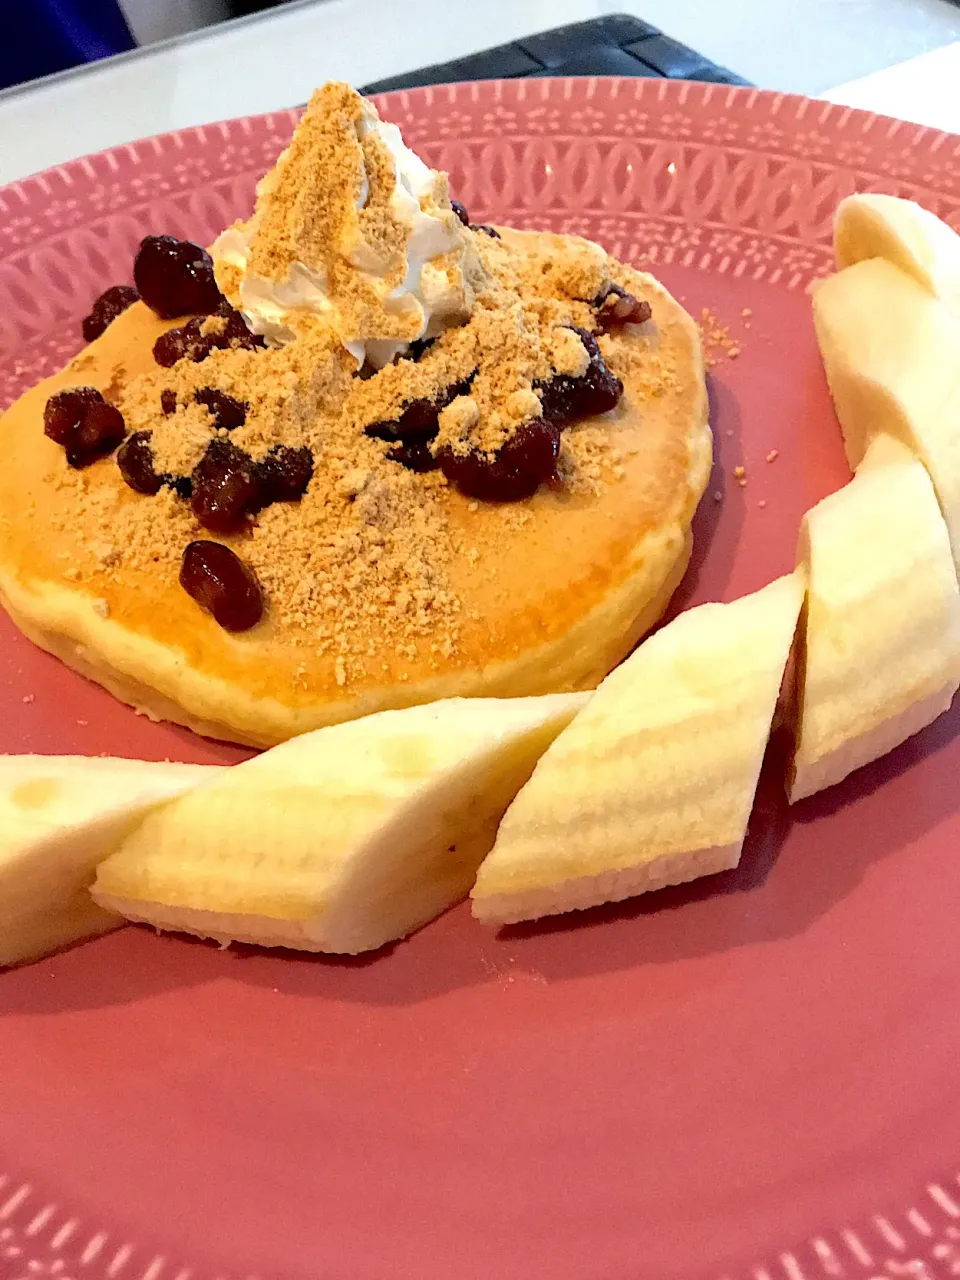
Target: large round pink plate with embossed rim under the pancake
point(752, 1077)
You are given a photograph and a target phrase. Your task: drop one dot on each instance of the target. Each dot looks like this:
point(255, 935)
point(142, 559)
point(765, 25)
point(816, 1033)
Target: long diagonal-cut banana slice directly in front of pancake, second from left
point(341, 840)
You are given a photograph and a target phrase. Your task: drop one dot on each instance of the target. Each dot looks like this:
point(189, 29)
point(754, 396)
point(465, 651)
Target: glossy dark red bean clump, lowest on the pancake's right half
point(516, 472)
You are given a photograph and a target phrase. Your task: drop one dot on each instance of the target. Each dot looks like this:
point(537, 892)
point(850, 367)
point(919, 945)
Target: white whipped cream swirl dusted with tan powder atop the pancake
point(351, 228)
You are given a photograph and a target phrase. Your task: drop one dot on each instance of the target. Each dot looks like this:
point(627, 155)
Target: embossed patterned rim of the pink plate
point(721, 180)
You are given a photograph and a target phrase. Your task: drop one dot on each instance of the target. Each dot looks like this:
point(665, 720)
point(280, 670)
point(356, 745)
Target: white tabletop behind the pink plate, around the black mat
point(276, 60)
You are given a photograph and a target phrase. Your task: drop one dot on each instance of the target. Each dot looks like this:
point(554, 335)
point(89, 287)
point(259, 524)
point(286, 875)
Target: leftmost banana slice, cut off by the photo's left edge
point(60, 817)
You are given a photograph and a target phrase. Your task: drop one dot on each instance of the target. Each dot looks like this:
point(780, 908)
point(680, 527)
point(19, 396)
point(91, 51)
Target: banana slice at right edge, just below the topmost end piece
point(893, 359)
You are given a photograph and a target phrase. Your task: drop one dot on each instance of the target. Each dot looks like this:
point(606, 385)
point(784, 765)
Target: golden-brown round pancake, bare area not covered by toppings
point(550, 595)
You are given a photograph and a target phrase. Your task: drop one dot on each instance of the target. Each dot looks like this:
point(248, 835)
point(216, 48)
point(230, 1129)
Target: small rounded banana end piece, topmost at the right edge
point(906, 235)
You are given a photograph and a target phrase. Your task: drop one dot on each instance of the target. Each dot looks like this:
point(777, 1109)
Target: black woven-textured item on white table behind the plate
point(616, 45)
